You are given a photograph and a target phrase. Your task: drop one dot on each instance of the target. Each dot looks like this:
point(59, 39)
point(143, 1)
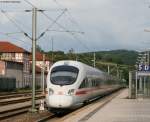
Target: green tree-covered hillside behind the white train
point(120, 62)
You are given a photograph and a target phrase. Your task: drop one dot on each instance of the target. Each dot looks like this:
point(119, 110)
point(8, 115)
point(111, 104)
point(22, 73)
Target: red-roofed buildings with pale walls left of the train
point(16, 62)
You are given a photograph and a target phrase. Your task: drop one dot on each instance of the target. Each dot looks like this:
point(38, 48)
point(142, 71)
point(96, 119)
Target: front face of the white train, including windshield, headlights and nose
point(61, 86)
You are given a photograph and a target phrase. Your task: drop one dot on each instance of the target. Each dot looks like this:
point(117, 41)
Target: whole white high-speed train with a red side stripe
point(72, 83)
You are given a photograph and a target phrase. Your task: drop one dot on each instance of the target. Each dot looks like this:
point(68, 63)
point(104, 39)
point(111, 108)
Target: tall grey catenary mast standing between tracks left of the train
point(34, 20)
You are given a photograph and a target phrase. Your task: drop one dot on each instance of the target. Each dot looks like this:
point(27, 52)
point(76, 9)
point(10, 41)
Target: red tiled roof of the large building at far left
point(7, 47)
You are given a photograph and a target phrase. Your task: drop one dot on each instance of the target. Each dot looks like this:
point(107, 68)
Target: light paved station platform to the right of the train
point(119, 109)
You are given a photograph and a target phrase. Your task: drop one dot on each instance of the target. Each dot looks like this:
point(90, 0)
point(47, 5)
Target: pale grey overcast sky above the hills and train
point(107, 24)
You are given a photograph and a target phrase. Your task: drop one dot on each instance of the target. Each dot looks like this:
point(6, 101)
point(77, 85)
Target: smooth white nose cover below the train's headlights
point(60, 101)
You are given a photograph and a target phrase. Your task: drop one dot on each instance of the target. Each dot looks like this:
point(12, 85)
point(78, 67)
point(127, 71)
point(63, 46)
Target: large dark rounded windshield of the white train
point(64, 75)
